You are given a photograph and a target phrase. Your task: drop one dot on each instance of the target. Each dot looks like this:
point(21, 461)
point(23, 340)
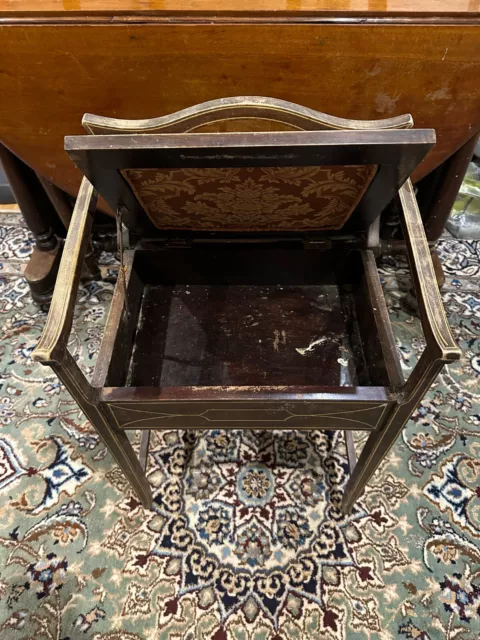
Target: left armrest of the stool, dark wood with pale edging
point(53, 342)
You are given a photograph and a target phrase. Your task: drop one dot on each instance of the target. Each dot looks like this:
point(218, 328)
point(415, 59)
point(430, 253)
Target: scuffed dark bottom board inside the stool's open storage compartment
point(202, 335)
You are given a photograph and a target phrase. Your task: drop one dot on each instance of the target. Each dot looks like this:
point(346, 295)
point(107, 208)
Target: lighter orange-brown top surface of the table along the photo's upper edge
point(430, 8)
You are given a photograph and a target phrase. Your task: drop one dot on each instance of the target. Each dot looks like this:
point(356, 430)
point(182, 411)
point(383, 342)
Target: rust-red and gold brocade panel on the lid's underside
point(250, 198)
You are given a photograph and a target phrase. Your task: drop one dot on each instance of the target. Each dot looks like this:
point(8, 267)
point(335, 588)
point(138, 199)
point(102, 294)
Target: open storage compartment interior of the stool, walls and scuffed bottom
point(246, 315)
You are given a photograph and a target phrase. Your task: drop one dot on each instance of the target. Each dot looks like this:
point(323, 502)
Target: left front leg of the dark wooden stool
point(114, 439)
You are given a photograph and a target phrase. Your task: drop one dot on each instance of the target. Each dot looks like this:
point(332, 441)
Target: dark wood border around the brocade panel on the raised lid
point(396, 153)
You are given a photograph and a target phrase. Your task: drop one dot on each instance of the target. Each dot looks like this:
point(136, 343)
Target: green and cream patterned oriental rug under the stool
point(244, 541)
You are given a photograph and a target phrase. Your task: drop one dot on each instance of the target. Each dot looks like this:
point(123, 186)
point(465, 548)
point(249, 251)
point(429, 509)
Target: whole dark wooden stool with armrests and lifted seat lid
point(248, 295)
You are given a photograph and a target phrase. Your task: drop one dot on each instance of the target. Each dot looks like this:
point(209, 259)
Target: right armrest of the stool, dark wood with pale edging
point(440, 344)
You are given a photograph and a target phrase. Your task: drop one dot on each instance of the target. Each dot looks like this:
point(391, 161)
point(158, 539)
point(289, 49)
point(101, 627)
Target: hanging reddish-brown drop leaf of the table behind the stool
point(51, 74)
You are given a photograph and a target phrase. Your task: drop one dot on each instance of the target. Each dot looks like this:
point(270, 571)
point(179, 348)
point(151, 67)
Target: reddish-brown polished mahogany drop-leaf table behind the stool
point(144, 58)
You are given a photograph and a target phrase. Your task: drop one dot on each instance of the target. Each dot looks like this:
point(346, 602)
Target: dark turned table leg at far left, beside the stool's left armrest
point(37, 211)
